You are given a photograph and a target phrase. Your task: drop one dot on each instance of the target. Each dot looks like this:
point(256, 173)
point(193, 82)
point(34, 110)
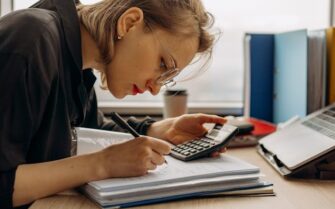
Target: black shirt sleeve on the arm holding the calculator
point(96, 119)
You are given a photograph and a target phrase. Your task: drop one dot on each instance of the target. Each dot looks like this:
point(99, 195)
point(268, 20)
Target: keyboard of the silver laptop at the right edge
point(323, 123)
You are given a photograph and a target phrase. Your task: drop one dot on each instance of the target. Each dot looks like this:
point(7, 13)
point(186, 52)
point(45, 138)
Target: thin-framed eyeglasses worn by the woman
point(166, 79)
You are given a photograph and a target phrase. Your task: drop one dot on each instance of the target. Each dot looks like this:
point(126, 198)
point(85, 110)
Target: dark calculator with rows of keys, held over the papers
point(215, 139)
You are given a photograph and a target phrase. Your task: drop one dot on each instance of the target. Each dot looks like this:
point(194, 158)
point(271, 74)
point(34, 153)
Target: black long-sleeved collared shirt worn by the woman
point(43, 90)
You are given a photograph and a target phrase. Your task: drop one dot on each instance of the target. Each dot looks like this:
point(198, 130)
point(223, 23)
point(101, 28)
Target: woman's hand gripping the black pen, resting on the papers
point(132, 158)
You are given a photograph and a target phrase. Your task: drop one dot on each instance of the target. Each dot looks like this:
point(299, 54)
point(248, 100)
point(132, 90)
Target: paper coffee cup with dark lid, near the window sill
point(175, 103)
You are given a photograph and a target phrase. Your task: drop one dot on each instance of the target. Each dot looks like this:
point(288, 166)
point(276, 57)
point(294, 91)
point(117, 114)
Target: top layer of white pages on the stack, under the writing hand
point(180, 171)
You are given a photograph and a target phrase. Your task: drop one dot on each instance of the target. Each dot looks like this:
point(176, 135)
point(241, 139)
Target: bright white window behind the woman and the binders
point(220, 88)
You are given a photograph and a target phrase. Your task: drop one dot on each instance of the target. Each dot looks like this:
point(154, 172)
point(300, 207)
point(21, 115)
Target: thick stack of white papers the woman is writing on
point(175, 180)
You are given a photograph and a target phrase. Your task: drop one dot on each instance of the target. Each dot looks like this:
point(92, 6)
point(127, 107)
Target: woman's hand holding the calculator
point(183, 128)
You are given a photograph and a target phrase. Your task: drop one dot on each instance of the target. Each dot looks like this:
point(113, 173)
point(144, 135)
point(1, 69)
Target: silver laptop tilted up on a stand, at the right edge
point(308, 140)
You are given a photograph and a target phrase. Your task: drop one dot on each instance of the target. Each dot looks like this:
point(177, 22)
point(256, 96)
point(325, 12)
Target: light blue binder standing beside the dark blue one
point(290, 77)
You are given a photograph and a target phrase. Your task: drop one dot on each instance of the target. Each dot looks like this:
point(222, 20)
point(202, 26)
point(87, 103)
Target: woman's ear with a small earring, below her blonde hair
point(129, 20)
